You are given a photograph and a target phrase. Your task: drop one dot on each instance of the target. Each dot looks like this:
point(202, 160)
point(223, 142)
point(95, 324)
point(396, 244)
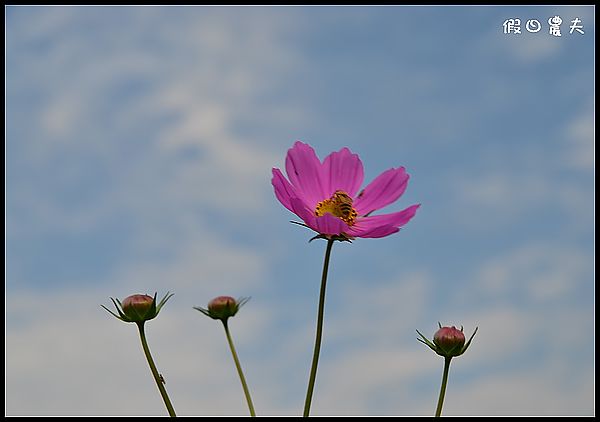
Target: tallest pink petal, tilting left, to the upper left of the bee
point(304, 170)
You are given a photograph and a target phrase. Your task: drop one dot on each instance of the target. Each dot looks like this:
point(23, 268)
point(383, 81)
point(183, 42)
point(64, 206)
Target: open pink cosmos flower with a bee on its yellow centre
point(326, 196)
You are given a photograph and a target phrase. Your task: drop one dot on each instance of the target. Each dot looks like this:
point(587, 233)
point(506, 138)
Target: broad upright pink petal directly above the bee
point(342, 170)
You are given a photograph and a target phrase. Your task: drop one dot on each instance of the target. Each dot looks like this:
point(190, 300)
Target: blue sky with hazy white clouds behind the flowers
point(139, 148)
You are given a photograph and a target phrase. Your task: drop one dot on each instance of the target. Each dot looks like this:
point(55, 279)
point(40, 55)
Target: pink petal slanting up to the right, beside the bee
point(385, 189)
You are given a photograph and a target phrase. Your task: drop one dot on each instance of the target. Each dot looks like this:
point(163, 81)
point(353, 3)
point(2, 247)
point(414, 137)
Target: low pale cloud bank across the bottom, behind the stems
point(371, 362)
